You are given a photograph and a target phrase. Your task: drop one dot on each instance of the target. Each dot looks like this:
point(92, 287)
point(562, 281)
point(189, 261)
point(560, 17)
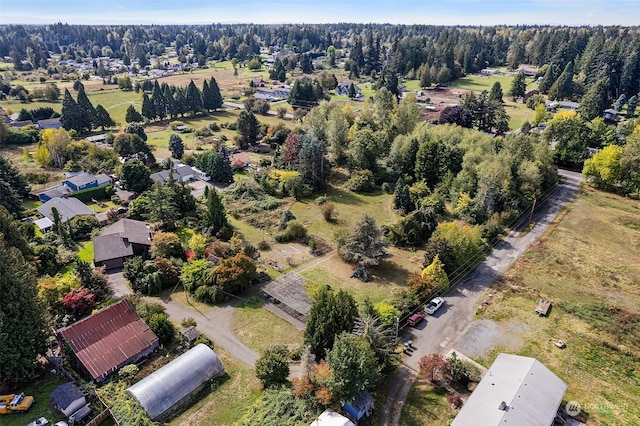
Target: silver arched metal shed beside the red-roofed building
point(164, 392)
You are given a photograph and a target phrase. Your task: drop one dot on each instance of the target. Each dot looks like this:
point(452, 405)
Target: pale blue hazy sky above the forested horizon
point(440, 12)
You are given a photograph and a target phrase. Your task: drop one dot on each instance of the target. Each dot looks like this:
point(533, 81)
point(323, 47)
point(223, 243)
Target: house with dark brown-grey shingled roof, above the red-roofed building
point(120, 241)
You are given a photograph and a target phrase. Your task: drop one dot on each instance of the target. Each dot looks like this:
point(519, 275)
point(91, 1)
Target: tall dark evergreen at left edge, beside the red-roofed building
point(22, 329)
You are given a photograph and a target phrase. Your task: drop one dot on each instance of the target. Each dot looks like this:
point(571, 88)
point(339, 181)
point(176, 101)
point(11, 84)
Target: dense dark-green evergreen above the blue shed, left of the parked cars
point(330, 315)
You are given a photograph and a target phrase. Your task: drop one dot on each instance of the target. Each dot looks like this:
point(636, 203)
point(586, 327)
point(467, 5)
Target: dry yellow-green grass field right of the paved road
point(588, 264)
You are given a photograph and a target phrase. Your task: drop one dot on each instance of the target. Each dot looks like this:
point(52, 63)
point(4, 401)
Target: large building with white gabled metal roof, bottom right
point(516, 390)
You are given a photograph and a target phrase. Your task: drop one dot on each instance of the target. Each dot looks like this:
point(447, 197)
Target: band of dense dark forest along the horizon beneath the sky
point(592, 53)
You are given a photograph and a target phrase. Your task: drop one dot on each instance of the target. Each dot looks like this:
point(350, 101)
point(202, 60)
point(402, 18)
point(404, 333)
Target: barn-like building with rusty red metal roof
point(108, 340)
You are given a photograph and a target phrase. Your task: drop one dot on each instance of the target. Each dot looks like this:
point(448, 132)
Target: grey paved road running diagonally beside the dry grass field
point(441, 331)
